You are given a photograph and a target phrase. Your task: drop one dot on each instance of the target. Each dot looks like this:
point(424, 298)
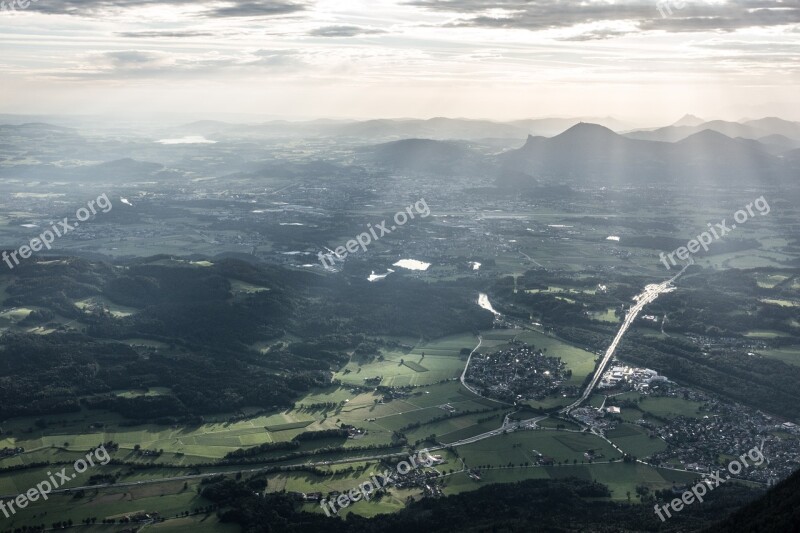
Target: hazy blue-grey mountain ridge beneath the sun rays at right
point(593, 153)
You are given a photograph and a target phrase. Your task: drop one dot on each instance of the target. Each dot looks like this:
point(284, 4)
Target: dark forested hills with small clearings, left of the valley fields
point(208, 331)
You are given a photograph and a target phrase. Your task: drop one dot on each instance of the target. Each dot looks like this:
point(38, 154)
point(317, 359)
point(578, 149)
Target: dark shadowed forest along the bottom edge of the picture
point(563, 505)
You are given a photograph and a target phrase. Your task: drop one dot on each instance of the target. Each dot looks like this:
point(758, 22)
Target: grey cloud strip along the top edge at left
point(229, 8)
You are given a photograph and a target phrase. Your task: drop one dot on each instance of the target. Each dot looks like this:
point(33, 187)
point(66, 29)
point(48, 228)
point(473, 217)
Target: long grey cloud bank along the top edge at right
point(692, 16)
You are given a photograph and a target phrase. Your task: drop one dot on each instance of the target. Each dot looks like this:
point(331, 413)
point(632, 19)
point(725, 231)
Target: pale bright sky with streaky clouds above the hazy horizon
point(638, 60)
